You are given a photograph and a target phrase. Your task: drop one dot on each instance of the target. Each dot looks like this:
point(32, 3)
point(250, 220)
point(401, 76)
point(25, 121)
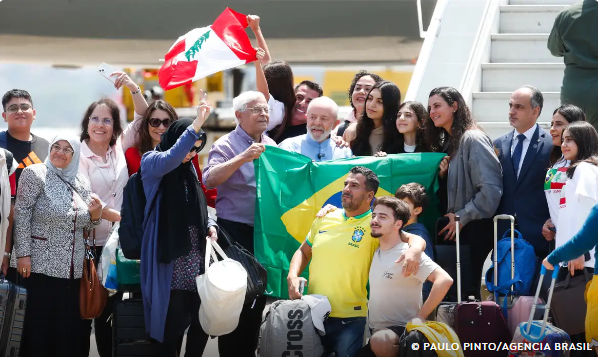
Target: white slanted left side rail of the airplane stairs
point(429, 36)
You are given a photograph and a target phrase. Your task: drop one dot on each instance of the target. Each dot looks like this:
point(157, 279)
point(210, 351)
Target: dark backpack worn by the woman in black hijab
point(132, 214)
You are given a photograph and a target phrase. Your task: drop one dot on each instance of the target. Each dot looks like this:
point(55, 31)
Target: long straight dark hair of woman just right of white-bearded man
point(391, 96)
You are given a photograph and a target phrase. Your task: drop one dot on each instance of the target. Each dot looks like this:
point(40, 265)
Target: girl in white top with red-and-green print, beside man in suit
point(556, 176)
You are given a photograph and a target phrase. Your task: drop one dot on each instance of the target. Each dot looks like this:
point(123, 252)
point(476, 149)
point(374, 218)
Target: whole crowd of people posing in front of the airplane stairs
point(70, 190)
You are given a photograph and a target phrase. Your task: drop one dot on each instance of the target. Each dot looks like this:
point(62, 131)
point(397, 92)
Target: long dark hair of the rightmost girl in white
point(586, 138)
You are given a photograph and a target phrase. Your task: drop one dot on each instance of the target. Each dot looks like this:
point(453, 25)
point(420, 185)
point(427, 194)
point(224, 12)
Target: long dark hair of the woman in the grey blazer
point(462, 121)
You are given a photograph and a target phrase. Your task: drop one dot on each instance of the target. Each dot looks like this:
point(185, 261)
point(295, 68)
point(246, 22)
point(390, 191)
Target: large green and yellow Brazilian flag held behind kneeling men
point(291, 189)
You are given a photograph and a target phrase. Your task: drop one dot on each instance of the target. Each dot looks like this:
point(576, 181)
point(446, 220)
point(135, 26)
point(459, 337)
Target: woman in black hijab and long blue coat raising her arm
point(172, 252)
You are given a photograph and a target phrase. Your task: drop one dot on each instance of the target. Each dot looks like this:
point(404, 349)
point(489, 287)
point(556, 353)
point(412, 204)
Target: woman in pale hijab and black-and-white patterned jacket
point(54, 206)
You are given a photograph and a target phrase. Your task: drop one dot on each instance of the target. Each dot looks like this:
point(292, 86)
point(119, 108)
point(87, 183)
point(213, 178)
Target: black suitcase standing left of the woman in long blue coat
point(128, 331)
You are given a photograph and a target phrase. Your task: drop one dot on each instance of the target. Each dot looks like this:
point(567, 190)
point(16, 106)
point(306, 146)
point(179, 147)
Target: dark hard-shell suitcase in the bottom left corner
point(13, 302)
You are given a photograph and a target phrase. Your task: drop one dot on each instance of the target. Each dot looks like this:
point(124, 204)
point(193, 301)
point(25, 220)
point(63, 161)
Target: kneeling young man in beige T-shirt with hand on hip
point(396, 299)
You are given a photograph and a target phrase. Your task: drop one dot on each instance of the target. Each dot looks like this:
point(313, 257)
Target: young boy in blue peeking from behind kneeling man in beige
point(416, 198)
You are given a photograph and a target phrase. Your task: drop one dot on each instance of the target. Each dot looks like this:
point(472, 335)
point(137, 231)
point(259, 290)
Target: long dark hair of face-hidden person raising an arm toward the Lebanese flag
point(279, 76)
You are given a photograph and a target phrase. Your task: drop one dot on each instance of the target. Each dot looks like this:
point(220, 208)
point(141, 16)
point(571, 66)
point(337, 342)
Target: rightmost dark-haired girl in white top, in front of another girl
point(580, 194)
